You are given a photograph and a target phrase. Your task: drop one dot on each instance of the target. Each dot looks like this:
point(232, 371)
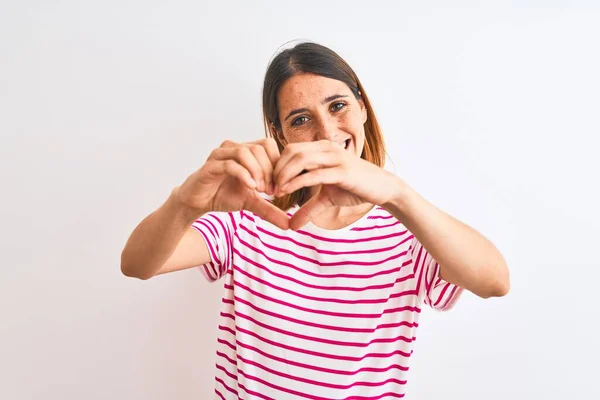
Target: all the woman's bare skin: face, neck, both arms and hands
point(343, 188)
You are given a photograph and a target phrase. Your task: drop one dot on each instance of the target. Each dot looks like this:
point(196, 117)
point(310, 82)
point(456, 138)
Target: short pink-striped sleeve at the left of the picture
point(217, 229)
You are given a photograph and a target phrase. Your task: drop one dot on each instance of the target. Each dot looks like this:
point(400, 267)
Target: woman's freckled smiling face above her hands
point(312, 107)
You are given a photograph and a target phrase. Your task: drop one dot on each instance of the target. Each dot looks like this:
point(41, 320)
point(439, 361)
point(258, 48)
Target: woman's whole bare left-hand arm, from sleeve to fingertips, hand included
point(165, 241)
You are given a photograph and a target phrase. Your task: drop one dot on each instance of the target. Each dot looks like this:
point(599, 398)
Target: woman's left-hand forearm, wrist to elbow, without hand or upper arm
point(155, 238)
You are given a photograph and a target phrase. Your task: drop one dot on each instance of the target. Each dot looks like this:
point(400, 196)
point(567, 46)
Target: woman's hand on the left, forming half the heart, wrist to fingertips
point(232, 179)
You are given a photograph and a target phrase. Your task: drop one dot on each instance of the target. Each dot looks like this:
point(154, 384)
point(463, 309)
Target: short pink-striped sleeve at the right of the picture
point(432, 290)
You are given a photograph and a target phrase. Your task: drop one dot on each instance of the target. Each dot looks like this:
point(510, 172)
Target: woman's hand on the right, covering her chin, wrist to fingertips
point(346, 179)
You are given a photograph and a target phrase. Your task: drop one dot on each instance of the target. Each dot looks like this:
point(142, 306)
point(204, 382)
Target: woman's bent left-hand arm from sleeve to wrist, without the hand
point(164, 242)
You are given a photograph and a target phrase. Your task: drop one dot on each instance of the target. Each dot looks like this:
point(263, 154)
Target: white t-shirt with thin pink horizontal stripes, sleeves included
point(317, 313)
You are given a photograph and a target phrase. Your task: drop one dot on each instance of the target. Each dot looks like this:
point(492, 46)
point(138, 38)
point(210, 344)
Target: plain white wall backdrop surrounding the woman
point(490, 110)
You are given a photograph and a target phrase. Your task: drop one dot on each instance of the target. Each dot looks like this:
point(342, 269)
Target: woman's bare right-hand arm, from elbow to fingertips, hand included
point(465, 257)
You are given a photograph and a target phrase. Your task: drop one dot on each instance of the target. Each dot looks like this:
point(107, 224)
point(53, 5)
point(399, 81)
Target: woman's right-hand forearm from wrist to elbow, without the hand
point(466, 258)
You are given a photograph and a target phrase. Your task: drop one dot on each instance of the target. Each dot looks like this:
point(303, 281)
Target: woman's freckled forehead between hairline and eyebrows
point(305, 89)
